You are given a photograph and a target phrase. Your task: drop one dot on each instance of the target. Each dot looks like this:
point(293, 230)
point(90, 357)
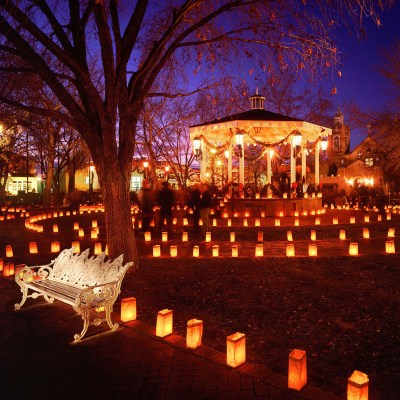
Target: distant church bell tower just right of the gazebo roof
point(339, 142)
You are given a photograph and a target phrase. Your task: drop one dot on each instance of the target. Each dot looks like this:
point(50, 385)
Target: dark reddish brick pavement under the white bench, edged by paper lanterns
point(37, 361)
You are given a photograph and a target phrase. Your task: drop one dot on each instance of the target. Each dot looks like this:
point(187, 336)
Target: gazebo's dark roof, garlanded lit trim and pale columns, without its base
point(264, 128)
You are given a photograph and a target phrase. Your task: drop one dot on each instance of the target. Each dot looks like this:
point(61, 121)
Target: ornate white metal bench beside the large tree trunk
point(89, 285)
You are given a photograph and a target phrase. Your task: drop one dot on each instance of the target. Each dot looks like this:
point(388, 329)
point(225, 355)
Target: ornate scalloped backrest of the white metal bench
point(82, 271)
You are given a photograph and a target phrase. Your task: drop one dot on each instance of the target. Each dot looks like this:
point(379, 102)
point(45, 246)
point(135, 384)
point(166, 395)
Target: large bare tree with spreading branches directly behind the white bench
point(103, 58)
